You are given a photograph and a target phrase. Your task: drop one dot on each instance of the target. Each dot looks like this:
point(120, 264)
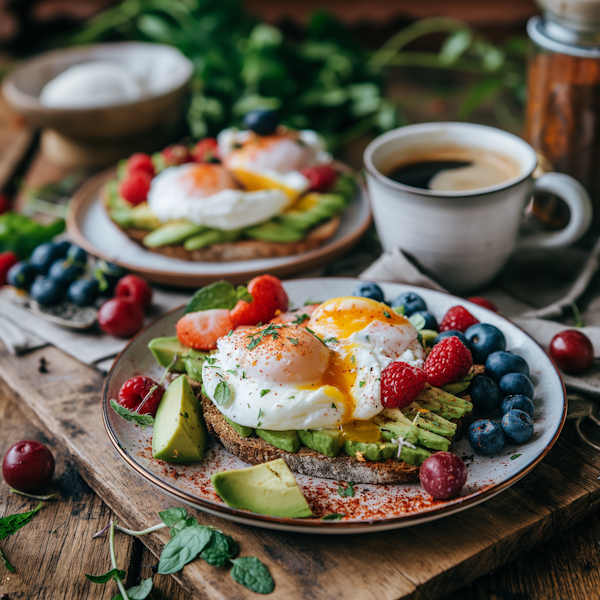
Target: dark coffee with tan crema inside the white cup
point(454, 169)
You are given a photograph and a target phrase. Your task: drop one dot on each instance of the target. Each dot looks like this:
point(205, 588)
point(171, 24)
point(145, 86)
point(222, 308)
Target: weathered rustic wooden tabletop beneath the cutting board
point(54, 551)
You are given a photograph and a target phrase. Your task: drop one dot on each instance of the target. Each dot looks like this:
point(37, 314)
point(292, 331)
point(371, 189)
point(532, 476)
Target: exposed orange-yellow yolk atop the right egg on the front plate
point(341, 317)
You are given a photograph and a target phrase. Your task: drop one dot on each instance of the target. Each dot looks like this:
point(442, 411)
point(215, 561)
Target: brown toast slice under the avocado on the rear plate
point(242, 249)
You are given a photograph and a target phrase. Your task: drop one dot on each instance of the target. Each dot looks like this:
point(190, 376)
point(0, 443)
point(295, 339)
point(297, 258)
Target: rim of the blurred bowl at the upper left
point(23, 100)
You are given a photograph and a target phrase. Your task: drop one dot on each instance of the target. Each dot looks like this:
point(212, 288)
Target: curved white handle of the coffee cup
point(580, 206)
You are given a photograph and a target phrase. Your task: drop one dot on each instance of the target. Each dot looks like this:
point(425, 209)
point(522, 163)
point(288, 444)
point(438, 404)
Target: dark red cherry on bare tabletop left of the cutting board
point(27, 466)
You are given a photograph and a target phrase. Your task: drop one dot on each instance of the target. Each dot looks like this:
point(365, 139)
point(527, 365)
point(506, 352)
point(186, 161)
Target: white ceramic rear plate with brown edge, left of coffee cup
point(92, 229)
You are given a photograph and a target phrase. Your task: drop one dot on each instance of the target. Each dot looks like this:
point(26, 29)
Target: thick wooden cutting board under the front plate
point(426, 561)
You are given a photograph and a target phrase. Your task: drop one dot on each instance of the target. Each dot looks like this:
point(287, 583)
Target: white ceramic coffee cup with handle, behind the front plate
point(464, 238)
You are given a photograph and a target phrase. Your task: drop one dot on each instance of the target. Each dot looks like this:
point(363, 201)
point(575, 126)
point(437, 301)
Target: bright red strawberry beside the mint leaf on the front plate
point(268, 296)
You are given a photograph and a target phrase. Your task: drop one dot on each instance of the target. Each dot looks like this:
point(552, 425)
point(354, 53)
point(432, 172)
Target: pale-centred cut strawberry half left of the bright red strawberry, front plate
point(202, 329)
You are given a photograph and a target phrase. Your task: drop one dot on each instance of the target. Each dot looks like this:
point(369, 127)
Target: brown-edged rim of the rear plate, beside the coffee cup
point(294, 263)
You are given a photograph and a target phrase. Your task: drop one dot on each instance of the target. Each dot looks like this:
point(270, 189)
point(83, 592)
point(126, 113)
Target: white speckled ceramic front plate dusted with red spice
point(374, 507)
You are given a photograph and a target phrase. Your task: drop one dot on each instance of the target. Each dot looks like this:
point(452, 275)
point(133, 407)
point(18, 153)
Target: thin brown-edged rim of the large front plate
point(319, 526)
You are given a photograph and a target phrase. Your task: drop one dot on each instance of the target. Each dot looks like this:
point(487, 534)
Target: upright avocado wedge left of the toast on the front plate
point(179, 431)
